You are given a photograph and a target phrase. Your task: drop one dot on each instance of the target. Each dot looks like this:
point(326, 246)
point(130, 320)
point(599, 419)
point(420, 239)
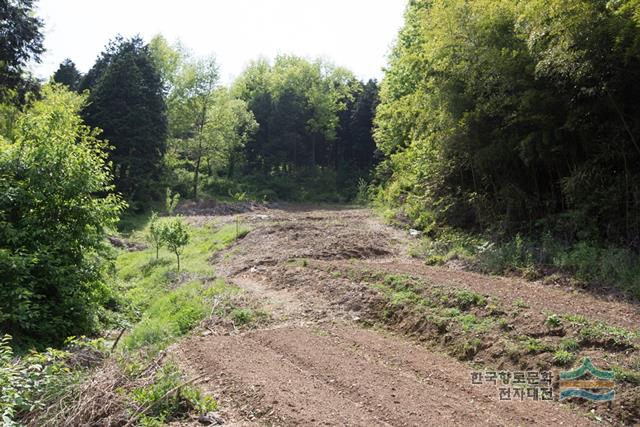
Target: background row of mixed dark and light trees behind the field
point(296, 129)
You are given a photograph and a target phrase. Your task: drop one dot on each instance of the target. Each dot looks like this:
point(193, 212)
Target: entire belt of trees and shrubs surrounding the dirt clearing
point(504, 133)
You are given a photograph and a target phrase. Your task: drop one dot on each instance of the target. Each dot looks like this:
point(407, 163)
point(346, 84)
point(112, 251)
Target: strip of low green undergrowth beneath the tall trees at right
point(585, 263)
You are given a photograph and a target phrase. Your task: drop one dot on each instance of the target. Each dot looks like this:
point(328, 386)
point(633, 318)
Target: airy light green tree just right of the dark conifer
point(208, 127)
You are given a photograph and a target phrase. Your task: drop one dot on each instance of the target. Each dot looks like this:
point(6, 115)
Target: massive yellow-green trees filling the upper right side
point(515, 115)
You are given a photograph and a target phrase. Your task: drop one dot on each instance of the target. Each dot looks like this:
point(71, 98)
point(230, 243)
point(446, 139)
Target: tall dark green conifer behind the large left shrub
point(127, 102)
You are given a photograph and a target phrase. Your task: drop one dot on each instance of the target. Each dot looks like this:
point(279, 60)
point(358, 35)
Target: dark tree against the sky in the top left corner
point(20, 41)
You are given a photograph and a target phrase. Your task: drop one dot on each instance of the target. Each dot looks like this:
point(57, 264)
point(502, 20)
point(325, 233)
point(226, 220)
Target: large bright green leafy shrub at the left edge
point(56, 206)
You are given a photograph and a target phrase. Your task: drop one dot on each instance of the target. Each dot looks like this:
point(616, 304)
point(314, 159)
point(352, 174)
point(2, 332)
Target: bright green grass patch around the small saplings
point(163, 304)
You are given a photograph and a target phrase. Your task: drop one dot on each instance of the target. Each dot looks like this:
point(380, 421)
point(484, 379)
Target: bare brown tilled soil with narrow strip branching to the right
point(316, 363)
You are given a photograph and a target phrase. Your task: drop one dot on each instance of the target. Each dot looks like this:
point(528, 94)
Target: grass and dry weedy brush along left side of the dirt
point(157, 305)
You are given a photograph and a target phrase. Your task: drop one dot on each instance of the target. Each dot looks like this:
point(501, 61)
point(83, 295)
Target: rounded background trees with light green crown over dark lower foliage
point(296, 103)
